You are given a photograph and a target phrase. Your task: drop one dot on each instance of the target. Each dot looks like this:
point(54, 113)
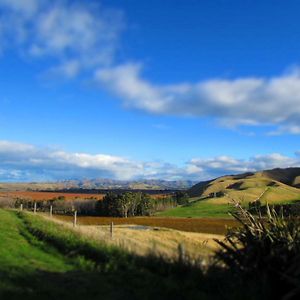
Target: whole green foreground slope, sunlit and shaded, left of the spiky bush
point(41, 260)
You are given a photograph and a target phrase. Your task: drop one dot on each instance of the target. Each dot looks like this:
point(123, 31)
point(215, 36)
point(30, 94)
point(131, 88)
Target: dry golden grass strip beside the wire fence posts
point(147, 240)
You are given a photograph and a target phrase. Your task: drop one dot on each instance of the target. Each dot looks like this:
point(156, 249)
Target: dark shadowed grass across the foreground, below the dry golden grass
point(107, 273)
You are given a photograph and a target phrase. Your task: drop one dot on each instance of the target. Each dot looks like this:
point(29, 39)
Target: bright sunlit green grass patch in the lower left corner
point(21, 255)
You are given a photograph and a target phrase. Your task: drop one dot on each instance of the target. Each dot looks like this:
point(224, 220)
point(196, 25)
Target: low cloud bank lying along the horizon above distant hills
point(25, 162)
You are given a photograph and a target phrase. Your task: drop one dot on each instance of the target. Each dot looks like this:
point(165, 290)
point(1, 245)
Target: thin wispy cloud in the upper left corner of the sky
point(76, 35)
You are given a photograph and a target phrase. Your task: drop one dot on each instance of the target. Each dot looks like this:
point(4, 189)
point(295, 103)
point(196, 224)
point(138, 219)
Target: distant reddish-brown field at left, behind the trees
point(41, 196)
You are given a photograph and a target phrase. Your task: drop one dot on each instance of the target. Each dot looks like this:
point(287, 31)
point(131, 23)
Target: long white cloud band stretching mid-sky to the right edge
point(242, 101)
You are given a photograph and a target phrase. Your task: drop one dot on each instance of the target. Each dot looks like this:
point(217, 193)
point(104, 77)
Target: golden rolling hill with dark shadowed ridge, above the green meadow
point(277, 185)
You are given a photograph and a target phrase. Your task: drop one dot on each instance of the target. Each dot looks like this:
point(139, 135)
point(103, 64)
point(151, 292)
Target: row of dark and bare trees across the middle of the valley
point(127, 204)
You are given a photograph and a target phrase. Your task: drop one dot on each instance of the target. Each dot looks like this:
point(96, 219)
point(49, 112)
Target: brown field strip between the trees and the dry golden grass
point(203, 225)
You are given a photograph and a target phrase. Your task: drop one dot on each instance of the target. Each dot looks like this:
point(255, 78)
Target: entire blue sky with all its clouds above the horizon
point(131, 89)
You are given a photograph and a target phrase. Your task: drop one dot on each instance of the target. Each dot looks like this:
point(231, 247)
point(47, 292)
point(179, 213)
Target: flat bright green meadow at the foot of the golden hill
point(198, 209)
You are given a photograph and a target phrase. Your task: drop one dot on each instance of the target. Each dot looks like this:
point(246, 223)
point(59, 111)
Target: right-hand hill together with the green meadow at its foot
point(212, 198)
